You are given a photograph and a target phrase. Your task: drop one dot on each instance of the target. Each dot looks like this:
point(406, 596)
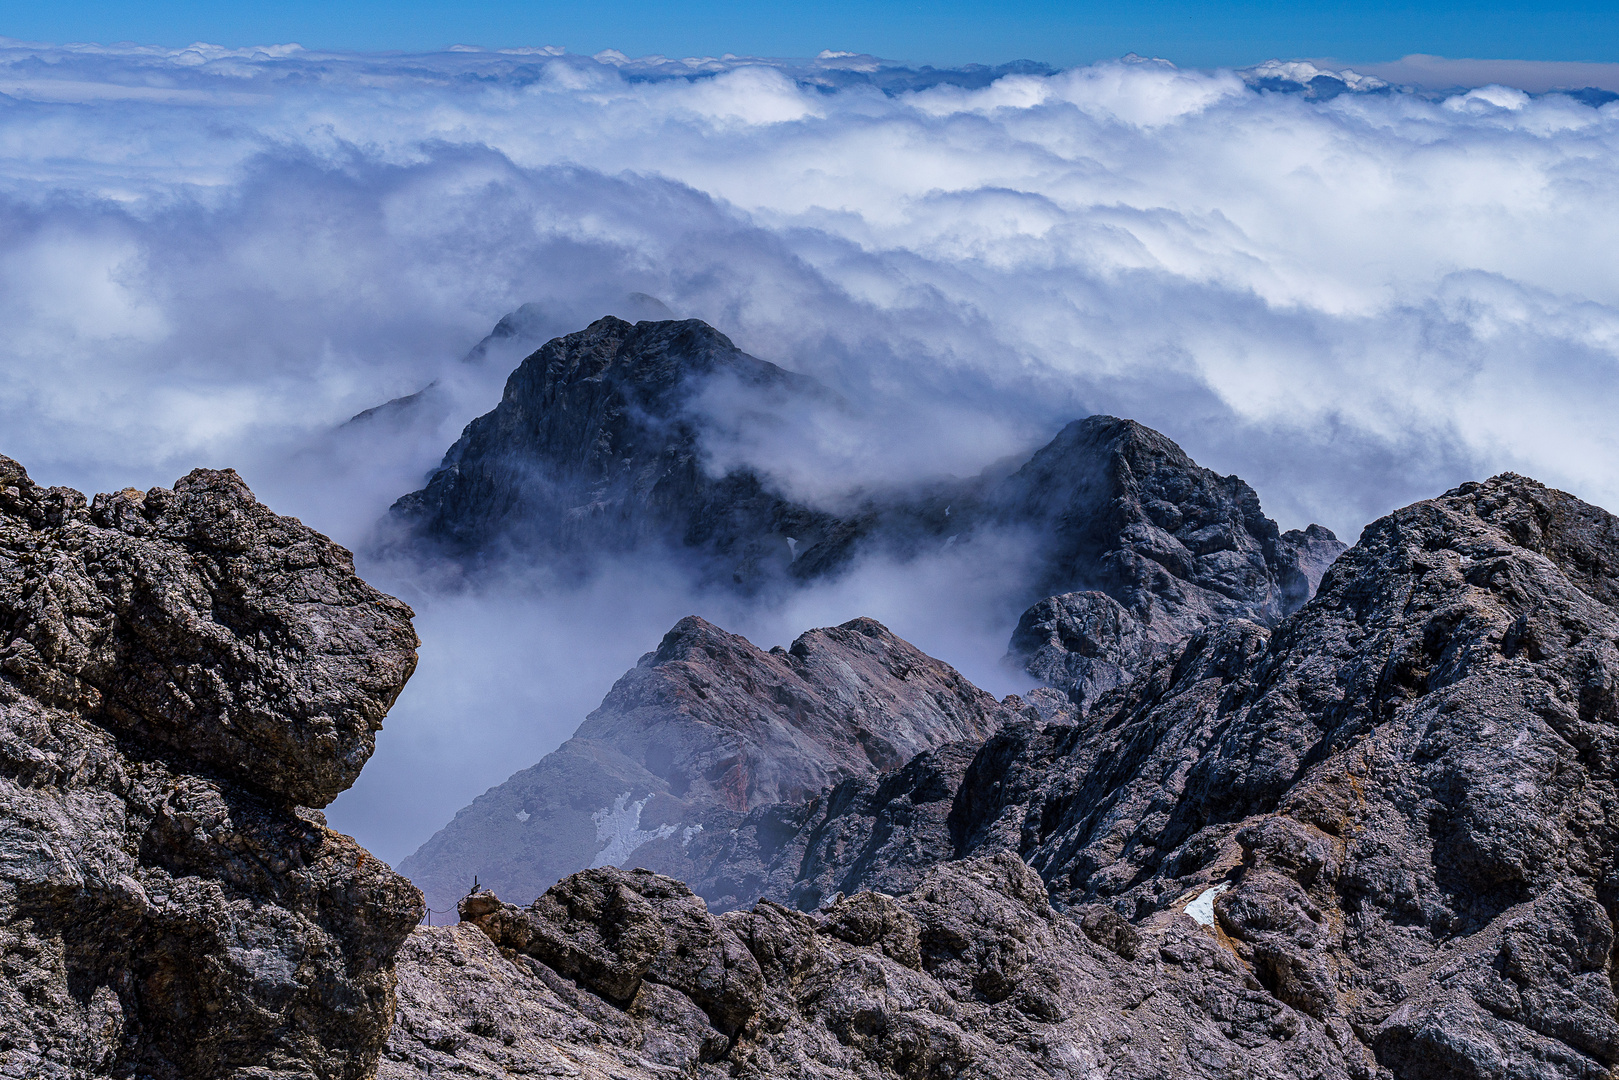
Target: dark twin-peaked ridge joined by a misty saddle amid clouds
point(597, 449)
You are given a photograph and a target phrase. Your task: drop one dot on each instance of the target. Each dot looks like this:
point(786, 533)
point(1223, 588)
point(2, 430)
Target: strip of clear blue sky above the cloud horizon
point(954, 32)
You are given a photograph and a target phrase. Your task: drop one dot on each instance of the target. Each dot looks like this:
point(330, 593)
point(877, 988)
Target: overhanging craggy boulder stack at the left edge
point(182, 673)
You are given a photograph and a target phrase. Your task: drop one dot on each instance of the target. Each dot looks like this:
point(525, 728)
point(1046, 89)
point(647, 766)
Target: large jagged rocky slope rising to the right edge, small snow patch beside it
point(1398, 806)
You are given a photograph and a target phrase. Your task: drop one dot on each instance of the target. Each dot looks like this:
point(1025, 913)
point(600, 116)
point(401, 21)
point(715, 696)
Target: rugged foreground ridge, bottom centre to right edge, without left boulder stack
point(1375, 841)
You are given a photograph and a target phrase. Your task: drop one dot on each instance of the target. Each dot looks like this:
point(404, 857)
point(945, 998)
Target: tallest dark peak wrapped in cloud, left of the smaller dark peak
point(595, 451)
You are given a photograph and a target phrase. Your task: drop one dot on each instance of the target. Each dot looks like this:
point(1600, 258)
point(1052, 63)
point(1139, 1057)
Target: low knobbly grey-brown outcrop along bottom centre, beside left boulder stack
point(974, 974)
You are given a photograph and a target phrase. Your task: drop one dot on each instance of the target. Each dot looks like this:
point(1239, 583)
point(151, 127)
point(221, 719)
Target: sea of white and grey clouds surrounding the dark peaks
point(1353, 300)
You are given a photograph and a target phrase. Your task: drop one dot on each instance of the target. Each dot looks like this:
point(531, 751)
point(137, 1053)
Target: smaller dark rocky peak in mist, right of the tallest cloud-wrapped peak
point(1147, 548)
